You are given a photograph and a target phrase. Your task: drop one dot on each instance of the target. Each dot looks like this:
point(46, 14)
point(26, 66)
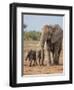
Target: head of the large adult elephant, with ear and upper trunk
point(51, 33)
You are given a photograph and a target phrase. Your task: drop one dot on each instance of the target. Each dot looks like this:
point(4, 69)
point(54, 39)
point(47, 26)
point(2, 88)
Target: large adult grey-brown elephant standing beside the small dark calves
point(53, 36)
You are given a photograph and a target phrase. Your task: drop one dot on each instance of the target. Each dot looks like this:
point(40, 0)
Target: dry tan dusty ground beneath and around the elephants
point(46, 69)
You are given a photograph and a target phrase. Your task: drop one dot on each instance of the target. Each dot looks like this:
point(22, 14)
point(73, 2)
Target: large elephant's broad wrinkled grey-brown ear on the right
point(57, 34)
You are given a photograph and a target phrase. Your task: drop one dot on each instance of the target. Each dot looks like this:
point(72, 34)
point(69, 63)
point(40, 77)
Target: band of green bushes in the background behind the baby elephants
point(32, 35)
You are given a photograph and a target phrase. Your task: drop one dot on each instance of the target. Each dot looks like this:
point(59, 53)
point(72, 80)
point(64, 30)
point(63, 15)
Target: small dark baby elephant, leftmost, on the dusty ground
point(32, 57)
